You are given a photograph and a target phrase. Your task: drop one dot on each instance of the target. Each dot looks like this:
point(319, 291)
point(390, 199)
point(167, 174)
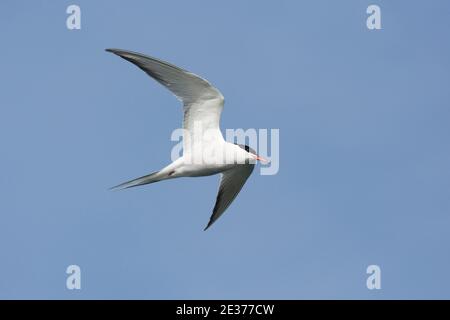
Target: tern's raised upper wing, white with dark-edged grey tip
point(202, 103)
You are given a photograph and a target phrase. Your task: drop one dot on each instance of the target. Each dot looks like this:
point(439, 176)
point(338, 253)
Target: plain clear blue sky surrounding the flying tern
point(364, 150)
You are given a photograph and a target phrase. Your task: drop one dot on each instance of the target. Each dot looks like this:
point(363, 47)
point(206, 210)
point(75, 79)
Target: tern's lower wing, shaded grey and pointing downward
point(231, 183)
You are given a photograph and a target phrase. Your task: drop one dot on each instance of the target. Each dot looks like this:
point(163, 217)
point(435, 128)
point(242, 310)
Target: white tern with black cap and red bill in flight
point(205, 152)
